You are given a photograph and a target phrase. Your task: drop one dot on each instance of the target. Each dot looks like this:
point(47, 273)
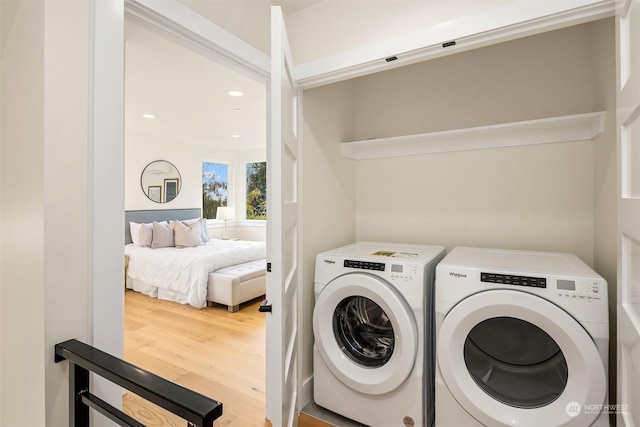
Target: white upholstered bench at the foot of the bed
point(233, 285)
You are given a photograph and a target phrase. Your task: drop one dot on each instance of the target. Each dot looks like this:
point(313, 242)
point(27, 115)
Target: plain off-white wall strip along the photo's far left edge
point(23, 349)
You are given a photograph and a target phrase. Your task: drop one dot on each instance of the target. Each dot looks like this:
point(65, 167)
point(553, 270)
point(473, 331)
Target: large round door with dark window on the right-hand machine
point(511, 358)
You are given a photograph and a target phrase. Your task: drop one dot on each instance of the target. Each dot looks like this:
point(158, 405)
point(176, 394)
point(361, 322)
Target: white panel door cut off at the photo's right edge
point(628, 123)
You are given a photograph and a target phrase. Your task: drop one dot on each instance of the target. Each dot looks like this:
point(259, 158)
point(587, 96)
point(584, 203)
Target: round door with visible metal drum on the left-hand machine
point(366, 333)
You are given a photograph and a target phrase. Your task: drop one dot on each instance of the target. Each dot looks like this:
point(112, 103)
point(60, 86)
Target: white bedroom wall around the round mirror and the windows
point(187, 158)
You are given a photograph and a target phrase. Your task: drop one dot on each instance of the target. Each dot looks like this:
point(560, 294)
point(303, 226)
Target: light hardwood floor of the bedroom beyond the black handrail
point(211, 351)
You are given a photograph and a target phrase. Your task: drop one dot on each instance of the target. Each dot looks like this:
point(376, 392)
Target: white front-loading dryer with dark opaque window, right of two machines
point(521, 340)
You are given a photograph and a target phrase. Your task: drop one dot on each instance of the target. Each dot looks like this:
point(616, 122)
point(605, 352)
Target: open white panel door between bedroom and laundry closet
point(282, 238)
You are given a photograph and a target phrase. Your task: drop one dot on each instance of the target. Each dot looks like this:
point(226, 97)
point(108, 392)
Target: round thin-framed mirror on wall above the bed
point(160, 181)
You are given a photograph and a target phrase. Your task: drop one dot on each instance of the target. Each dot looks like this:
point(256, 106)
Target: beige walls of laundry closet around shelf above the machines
point(554, 196)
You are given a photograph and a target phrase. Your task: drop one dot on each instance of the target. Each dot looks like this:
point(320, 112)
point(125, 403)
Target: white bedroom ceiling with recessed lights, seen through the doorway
point(188, 94)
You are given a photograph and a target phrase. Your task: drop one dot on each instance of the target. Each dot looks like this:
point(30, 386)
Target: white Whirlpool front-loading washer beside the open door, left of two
point(372, 342)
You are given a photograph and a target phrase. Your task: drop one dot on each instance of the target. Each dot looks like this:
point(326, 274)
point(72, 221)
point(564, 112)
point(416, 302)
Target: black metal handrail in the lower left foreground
point(196, 409)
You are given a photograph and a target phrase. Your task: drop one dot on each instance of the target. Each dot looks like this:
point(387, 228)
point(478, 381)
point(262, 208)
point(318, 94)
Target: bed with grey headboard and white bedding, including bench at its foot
point(190, 271)
